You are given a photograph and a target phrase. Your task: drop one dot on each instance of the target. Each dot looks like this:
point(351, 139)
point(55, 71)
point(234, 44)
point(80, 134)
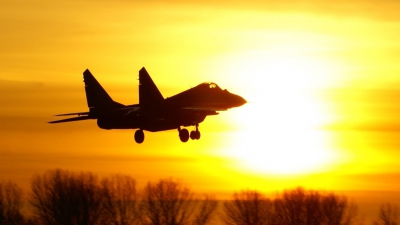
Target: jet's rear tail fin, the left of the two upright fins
point(97, 98)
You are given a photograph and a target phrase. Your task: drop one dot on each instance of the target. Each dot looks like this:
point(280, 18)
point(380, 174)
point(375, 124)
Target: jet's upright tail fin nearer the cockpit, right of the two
point(149, 95)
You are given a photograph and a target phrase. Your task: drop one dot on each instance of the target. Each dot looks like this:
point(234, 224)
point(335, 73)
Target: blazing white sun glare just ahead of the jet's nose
point(279, 129)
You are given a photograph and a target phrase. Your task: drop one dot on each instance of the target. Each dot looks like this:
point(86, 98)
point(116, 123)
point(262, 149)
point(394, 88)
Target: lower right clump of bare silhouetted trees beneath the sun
point(292, 207)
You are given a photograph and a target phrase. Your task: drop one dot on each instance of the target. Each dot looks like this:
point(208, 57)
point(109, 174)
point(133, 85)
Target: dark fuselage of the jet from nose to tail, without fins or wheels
point(183, 109)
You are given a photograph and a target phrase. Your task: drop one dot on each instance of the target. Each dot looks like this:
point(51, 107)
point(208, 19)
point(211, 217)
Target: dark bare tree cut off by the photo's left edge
point(10, 204)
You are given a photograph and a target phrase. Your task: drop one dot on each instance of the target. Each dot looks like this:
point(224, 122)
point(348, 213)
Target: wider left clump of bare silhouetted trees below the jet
point(62, 198)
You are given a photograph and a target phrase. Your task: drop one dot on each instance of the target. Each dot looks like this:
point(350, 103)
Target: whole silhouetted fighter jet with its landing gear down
point(154, 112)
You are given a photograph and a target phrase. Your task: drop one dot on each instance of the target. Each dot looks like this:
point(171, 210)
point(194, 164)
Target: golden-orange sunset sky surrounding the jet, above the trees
point(321, 79)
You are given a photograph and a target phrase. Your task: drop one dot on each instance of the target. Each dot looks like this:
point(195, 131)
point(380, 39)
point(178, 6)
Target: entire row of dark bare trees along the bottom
point(60, 197)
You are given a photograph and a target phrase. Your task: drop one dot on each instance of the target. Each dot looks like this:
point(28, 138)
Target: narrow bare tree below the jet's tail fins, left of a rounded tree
point(121, 200)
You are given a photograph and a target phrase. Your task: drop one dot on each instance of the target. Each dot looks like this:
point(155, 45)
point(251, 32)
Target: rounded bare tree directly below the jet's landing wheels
point(167, 202)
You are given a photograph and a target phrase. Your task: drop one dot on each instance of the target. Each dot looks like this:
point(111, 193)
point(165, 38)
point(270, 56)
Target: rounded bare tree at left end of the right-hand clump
point(248, 208)
